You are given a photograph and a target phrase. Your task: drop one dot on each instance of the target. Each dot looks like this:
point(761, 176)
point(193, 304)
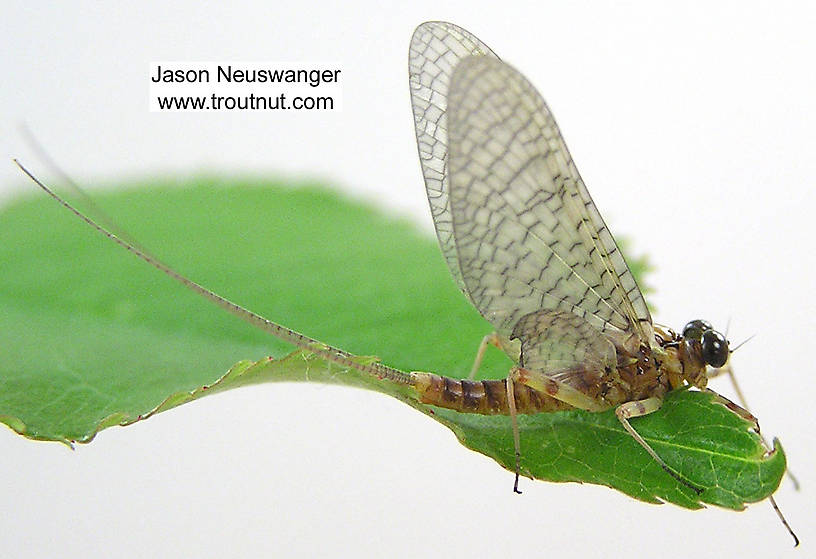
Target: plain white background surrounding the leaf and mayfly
point(692, 125)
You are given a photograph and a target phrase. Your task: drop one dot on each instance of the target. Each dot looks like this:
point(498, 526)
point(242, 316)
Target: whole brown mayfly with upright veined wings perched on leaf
point(527, 246)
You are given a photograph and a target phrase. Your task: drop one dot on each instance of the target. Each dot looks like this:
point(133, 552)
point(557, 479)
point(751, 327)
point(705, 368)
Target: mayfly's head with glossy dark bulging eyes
point(701, 345)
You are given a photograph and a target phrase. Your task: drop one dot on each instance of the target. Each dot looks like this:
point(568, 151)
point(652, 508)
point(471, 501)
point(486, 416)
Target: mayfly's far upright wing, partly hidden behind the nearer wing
point(436, 48)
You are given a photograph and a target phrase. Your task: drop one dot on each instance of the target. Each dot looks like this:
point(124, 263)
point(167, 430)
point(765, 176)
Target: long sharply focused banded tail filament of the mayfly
point(320, 349)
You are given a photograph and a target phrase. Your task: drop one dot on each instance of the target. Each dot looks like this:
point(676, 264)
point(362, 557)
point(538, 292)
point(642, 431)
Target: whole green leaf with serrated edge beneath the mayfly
point(92, 337)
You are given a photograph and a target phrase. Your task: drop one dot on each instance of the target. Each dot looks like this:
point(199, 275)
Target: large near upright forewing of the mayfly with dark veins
point(527, 234)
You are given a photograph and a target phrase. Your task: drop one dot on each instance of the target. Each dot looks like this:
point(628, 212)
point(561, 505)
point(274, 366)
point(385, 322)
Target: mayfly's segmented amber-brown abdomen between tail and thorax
point(485, 397)
